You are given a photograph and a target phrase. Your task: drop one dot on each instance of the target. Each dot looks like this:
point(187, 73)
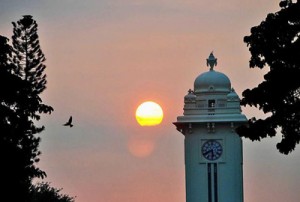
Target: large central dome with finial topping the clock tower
point(212, 81)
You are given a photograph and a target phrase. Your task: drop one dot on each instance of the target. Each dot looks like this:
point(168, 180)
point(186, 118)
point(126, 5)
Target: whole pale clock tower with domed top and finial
point(213, 150)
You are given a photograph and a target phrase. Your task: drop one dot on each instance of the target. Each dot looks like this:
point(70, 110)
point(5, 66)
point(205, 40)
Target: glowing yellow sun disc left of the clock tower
point(149, 114)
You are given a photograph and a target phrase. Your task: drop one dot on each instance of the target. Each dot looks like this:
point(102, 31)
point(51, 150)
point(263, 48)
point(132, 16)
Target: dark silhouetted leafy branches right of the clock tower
point(276, 43)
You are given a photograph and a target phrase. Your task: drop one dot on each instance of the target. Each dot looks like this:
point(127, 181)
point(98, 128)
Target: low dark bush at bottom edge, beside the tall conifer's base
point(43, 192)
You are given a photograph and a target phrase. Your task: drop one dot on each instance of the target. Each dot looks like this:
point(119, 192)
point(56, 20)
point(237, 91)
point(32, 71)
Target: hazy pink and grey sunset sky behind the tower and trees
point(105, 57)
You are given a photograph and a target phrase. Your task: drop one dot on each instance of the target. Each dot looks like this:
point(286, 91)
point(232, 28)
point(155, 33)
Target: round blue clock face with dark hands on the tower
point(212, 150)
